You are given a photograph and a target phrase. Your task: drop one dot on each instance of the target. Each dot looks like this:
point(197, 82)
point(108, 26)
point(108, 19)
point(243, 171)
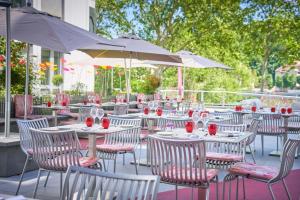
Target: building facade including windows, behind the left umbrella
point(80, 13)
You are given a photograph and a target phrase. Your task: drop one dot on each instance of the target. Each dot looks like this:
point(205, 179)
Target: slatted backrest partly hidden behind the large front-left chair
point(25, 137)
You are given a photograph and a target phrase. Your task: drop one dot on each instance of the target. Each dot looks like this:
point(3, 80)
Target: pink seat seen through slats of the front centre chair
point(185, 175)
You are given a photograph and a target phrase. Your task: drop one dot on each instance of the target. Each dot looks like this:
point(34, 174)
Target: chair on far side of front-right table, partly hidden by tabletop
point(224, 155)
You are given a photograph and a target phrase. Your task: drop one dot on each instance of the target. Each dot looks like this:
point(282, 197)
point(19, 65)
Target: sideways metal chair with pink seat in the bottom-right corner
point(266, 174)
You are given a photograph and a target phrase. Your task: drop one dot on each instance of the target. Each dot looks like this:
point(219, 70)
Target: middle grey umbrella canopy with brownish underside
point(134, 47)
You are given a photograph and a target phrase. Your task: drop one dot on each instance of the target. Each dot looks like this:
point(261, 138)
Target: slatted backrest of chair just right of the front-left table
point(129, 136)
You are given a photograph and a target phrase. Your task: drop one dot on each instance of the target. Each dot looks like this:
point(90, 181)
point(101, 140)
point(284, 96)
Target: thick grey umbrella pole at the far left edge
point(7, 75)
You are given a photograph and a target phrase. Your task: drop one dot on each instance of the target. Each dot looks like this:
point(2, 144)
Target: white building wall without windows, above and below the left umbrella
point(76, 12)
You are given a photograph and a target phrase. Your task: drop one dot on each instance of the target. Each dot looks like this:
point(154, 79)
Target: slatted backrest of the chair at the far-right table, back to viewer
point(271, 124)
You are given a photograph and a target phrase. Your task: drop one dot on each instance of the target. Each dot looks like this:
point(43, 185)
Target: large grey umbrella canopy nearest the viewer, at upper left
point(42, 29)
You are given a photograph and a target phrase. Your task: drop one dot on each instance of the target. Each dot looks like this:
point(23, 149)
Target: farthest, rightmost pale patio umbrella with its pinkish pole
point(189, 60)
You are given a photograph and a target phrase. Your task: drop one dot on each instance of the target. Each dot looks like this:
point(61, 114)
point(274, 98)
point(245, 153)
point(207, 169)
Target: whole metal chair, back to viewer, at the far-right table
point(271, 126)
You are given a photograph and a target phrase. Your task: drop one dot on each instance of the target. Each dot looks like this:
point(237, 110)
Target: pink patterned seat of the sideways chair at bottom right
point(253, 171)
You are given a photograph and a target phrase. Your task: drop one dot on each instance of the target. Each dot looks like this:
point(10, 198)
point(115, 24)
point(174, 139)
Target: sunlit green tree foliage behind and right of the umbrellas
point(253, 37)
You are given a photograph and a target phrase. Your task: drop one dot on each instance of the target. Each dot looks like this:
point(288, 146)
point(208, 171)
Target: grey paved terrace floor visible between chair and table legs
point(9, 185)
